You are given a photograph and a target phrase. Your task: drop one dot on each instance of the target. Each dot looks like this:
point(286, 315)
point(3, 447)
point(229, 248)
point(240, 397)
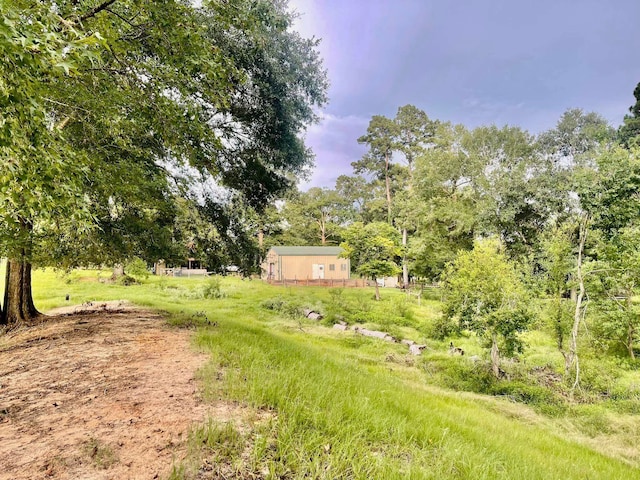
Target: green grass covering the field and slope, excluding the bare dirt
point(347, 407)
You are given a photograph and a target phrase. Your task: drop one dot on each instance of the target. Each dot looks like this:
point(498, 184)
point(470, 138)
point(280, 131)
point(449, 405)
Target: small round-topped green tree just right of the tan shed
point(373, 250)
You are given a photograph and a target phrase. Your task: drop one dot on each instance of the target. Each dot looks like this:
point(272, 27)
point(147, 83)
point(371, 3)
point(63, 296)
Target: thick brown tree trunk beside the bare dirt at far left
point(18, 297)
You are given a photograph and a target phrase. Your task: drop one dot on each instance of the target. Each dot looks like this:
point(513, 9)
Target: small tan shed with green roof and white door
point(305, 263)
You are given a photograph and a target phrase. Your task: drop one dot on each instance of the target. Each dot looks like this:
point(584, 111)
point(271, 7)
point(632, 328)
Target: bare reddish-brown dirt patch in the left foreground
point(101, 392)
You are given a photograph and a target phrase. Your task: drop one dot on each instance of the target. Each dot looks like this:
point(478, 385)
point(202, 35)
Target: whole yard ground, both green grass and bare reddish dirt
point(281, 396)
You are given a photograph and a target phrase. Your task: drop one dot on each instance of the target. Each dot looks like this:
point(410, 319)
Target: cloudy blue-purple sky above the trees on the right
point(475, 62)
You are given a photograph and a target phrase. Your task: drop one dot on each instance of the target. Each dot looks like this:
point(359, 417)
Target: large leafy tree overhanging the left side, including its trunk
point(225, 88)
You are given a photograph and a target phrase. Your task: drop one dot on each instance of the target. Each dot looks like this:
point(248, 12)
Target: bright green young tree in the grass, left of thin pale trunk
point(485, 294)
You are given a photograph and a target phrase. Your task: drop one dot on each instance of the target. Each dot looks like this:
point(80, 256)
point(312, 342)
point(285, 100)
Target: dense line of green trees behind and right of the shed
point(469, 207)
